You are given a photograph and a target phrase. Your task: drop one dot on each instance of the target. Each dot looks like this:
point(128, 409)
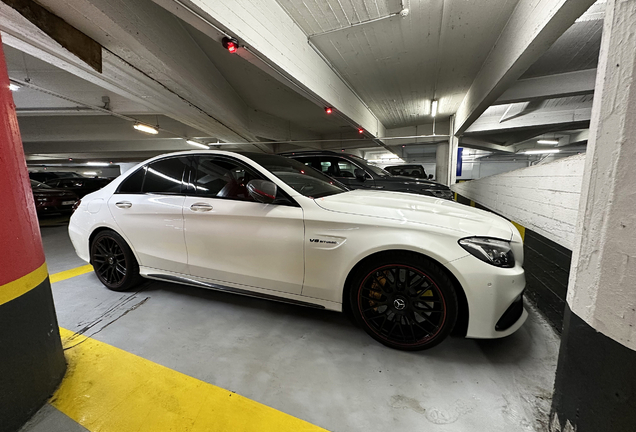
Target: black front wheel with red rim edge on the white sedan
point(403, 301)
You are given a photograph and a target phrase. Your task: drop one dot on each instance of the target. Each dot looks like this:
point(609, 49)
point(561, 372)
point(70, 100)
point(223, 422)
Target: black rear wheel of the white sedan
point(113, 261)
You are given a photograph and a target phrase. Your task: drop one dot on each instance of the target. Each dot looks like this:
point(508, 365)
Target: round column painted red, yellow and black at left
point(31, 357)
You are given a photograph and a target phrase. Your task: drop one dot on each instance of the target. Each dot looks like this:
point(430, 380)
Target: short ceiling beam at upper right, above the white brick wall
point(550, 87)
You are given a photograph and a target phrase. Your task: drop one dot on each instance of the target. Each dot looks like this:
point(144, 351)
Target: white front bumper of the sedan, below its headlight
point(494, 295)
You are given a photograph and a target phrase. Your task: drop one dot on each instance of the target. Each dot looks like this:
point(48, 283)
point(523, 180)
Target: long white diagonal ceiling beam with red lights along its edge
point(272, 41)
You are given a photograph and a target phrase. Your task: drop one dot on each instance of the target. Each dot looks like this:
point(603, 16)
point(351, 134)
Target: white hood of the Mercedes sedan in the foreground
point(434, 212)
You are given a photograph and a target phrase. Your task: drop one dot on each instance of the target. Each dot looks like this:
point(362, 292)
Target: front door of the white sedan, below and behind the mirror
point(232, 238)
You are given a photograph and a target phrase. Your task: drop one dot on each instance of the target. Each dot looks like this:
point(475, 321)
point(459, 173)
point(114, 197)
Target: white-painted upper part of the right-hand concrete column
point(604, 264)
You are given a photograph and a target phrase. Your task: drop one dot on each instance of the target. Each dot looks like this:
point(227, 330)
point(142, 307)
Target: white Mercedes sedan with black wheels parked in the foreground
point(409, 268)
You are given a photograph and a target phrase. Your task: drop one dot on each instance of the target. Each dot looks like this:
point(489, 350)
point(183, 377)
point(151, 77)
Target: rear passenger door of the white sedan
point(148, 209)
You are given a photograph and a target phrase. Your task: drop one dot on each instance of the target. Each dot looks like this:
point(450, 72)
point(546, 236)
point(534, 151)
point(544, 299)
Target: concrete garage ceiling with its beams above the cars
point(379, 63)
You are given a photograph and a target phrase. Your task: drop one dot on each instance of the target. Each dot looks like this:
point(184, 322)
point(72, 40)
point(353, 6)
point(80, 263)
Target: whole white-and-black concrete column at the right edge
point(595, 387)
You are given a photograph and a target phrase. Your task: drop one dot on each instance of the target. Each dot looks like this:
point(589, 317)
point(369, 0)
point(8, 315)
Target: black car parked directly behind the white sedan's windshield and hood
point(356, 173)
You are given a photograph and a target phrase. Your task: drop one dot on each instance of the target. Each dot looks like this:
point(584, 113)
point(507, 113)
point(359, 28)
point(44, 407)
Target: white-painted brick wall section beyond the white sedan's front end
point(543, 198)
